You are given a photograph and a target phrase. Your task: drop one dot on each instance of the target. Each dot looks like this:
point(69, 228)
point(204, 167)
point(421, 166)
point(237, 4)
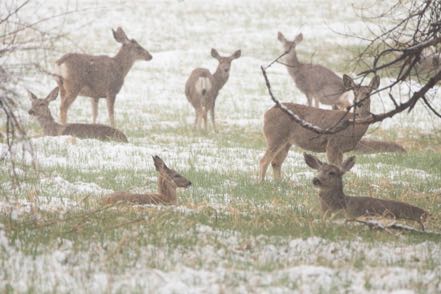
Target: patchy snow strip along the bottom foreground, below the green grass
point(309, 265)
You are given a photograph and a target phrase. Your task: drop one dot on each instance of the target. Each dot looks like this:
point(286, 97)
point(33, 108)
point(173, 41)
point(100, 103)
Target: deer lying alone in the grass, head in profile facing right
point(168, 181)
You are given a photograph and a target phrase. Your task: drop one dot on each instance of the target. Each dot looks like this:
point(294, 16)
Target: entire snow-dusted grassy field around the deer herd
point(228, 234)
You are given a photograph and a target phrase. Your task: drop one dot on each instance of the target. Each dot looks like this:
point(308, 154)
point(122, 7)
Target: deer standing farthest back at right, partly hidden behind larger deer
point(317, 82)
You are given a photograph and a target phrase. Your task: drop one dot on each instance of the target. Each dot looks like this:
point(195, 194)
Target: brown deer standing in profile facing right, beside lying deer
point(97, 76)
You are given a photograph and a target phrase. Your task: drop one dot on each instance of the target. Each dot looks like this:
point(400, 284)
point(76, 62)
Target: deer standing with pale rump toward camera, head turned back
point(202, 87)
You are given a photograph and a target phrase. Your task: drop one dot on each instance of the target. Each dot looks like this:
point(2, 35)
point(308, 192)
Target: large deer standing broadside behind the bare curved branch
point(281, 132)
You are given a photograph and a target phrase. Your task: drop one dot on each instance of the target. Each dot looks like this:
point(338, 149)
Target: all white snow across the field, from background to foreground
point(179, 35)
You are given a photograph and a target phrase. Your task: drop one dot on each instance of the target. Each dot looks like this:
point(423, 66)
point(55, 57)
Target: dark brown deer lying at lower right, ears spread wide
point(332, 198)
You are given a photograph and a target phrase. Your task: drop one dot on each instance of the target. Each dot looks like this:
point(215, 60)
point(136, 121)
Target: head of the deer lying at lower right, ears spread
point(328, 176)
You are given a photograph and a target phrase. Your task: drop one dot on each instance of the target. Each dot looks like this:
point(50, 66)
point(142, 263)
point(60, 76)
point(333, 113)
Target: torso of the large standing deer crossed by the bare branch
point(280, 128)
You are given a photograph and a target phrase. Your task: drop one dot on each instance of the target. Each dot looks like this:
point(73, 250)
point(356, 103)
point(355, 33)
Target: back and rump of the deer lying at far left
point(94, 131)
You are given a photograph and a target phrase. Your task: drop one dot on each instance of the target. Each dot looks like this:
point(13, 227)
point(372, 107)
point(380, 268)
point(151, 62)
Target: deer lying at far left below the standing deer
point(40, 109)
